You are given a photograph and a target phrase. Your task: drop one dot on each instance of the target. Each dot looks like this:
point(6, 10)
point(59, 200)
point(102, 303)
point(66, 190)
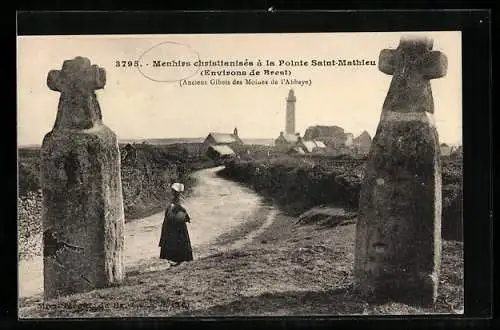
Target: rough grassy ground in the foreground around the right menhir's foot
point(290, 269)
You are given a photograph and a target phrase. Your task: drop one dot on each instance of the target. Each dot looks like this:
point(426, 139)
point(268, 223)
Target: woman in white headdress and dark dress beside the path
point(174, 240)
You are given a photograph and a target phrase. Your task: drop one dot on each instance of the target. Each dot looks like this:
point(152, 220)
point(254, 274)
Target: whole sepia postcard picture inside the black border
point(242, 174)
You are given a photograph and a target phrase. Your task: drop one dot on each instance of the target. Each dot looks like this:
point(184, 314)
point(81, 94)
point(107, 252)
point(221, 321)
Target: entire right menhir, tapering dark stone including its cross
point(398, 233)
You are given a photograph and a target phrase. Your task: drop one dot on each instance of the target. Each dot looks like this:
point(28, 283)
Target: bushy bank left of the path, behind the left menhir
point(145, 177)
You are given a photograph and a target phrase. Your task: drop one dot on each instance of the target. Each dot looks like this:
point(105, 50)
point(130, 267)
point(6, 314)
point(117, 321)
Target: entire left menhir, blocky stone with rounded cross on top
point(83, 216)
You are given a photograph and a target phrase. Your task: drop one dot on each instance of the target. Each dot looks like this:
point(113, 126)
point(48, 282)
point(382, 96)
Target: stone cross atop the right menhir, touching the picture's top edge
point(412, 65)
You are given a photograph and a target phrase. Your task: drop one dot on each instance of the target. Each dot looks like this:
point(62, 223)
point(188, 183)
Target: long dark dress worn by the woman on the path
point(174, 240)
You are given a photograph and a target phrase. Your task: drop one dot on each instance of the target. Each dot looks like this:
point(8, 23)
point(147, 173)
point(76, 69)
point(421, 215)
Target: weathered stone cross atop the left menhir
point(78, 105)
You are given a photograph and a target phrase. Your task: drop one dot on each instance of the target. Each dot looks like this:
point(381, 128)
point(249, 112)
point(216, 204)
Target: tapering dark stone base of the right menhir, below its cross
point(398, 233)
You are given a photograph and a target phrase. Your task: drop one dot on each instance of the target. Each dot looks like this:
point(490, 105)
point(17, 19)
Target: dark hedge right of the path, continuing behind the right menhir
point(298, 183)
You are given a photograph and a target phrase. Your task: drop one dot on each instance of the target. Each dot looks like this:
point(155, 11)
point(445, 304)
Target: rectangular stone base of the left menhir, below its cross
point(83, 217)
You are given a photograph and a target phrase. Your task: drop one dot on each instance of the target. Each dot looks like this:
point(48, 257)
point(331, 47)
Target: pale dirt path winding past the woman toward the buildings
point(216, 206)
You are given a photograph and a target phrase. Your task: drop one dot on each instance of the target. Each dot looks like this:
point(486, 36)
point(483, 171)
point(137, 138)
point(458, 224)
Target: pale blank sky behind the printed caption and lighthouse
point(140, 103)
